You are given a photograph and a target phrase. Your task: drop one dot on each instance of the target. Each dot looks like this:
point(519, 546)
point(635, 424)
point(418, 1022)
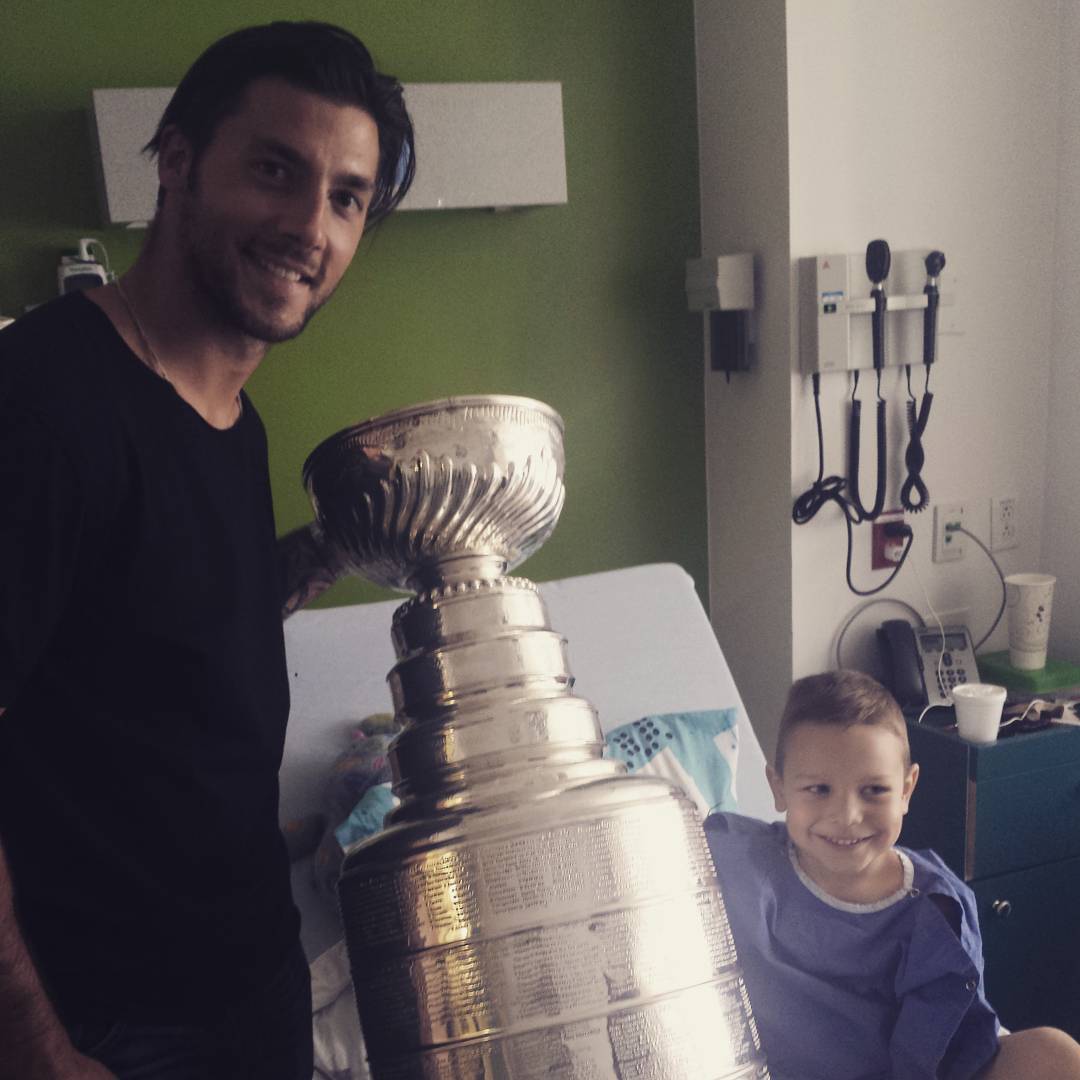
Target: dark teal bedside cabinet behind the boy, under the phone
point(1006, 818)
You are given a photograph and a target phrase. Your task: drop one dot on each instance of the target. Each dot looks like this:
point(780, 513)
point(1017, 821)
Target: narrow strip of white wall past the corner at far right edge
point(1061, 552)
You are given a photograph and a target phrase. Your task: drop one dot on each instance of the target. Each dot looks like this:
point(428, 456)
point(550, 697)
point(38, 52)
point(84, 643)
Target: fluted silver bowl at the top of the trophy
point(440, 494)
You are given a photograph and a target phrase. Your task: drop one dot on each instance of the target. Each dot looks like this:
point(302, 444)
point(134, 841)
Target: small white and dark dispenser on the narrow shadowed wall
point(723, 288)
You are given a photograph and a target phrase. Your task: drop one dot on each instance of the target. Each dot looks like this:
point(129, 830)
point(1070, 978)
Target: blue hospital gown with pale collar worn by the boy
point(857, 992)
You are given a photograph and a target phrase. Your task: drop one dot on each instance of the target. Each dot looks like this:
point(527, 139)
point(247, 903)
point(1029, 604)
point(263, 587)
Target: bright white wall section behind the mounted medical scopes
point(934, 126)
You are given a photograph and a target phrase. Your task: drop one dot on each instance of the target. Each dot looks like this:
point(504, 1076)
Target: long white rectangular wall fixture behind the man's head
point(478, 145)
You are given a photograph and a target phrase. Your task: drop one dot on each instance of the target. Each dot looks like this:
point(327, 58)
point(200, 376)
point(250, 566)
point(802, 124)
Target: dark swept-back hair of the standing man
point(318, 58)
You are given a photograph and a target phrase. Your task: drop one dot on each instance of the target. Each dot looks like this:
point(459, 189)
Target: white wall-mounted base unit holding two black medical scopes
point(836, 312)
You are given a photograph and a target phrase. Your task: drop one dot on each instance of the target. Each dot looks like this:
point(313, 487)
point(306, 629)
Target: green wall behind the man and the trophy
point(580, 306)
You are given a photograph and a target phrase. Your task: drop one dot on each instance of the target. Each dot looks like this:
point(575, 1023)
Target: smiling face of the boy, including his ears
point(845, 791)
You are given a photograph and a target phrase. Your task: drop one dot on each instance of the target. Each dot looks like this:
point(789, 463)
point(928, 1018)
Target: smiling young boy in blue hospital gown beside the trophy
point(863, 961)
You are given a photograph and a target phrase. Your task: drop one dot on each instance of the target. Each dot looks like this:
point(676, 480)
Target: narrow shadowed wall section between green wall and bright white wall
point(742, 120)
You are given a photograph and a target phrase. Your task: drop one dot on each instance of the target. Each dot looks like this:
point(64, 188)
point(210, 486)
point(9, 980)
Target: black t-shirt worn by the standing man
point(142, 667)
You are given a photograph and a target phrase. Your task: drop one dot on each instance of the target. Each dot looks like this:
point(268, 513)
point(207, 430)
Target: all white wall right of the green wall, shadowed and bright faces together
point(934, 126)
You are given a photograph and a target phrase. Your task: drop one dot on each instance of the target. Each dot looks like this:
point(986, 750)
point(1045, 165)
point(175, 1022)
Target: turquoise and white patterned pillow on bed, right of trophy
point(696, 751)
